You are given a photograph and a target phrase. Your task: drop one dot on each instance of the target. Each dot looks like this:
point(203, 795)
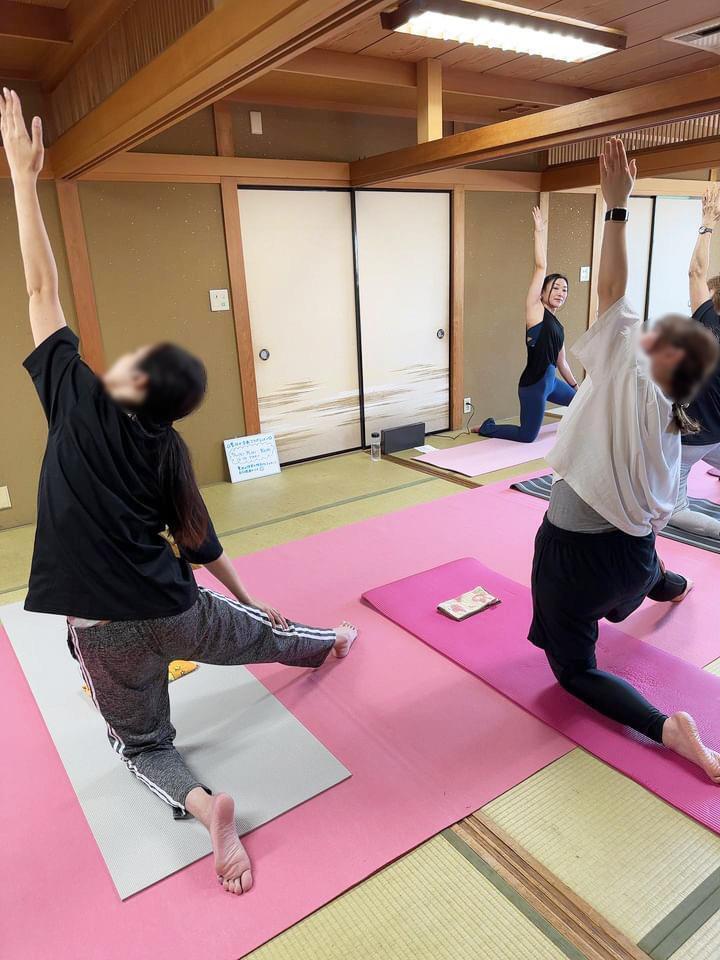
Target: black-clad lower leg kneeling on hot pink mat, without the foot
point(610, 695)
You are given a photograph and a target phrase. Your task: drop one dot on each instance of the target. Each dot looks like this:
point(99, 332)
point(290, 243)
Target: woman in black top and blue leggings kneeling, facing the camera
point(544, 338)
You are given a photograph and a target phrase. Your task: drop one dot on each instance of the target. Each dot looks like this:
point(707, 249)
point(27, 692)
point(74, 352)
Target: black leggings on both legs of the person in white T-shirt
point(609, 694)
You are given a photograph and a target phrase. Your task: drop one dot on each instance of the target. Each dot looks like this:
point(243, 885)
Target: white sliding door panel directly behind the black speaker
point(404, 280)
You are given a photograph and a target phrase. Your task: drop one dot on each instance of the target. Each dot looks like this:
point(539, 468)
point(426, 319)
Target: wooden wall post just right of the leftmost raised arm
point(80, 274)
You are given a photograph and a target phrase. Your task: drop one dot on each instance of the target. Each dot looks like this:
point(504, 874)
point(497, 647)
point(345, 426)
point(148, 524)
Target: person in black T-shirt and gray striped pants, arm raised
point(116, 489)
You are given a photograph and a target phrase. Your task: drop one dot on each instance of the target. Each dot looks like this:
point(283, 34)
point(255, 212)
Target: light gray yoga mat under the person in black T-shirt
point(234, 734)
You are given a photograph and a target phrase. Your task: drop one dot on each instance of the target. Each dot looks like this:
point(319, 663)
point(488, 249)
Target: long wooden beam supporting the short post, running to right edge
point(692, 95)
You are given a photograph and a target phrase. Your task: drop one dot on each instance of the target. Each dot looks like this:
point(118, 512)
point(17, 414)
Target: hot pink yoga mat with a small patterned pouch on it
point(493, 645)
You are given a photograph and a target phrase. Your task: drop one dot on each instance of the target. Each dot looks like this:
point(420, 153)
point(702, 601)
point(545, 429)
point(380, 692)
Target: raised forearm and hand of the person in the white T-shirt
point(617, 177)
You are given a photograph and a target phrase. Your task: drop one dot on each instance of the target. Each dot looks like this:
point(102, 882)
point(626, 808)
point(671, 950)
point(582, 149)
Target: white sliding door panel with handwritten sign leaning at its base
point(297, 247)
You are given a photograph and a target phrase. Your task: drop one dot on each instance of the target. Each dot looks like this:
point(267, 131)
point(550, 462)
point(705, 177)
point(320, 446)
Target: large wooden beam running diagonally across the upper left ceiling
point(228, 48)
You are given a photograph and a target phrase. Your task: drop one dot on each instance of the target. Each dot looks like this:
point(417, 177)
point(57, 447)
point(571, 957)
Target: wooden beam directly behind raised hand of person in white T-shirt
point(654, 162)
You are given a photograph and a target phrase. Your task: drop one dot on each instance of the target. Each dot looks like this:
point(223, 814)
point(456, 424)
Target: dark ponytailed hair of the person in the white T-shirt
point(700, 357)
